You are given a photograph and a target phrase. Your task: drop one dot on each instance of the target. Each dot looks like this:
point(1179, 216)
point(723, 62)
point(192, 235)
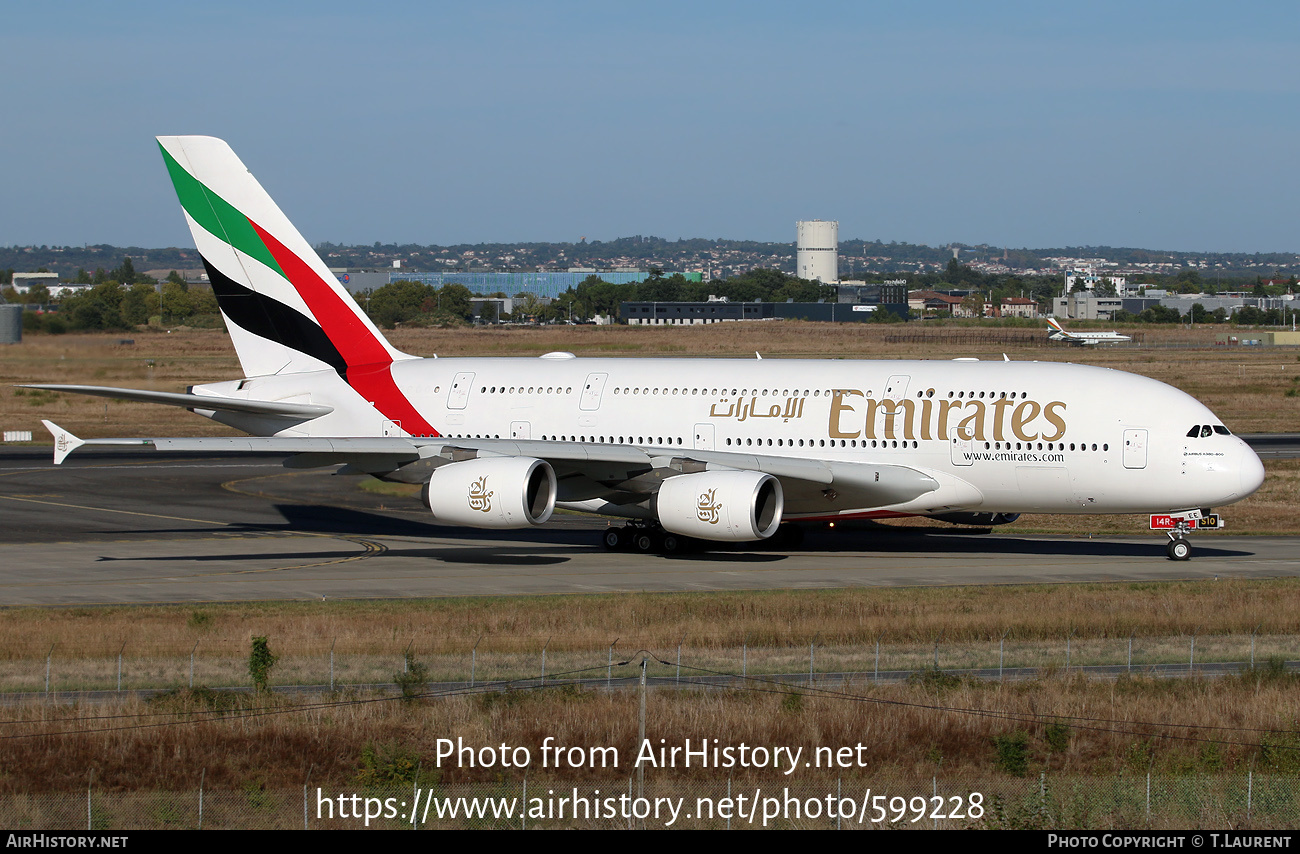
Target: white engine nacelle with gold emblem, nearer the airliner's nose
point(730, 506)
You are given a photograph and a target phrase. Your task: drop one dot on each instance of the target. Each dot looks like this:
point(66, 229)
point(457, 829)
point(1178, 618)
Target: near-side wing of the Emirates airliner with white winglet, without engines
point(586, 472)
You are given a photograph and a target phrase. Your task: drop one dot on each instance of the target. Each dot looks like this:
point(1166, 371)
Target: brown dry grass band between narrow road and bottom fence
point(1115, 727)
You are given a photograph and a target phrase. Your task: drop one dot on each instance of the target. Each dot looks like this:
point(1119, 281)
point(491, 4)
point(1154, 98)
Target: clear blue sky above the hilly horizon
point(1163, 125)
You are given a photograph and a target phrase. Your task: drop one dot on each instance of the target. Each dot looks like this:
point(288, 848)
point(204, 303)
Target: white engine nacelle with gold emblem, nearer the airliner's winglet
point(508, 492)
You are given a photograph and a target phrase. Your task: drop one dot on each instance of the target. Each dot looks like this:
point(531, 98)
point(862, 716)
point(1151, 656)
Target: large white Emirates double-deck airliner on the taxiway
point(714, 450)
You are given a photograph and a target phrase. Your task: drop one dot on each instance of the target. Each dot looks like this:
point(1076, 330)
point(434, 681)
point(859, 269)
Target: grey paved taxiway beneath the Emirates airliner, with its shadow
point(133, 527)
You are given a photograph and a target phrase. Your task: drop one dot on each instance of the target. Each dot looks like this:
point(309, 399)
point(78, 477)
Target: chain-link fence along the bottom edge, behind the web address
point(1247, 801)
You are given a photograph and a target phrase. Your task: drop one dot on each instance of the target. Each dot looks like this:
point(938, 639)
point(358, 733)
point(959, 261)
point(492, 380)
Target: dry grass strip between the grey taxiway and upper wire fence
point(586, 626)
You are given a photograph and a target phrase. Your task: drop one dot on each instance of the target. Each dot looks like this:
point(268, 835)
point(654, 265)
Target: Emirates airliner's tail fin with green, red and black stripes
point(285, 311)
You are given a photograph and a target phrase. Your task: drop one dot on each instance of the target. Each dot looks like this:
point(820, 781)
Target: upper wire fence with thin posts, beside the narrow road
point(57, 667)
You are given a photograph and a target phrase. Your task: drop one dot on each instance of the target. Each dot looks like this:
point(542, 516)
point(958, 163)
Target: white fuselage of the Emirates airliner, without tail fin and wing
point(998, 436)
